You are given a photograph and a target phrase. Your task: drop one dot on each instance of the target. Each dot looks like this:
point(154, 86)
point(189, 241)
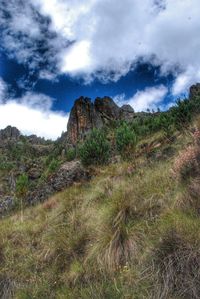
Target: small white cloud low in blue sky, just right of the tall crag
point(149, 98)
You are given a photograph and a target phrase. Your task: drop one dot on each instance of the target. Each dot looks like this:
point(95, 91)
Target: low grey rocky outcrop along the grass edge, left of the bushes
point(68, 173)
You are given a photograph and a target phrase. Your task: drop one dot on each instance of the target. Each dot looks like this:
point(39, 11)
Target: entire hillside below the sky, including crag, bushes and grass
point(122, 223)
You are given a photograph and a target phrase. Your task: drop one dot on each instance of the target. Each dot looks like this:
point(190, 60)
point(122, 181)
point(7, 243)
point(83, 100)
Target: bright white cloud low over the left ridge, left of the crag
point(31, 114)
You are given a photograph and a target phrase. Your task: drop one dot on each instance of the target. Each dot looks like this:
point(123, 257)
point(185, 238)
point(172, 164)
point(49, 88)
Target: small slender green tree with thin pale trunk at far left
point(21, 190)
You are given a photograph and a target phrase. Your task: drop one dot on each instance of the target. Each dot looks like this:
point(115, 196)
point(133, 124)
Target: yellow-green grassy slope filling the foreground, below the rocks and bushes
point(133, 231)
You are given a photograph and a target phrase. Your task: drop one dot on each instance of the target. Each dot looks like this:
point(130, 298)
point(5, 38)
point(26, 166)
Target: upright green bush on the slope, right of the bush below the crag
point(126, 140)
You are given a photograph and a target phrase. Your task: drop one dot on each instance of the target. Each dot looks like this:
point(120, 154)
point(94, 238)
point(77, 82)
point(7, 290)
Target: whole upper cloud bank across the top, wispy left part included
point(104, 39)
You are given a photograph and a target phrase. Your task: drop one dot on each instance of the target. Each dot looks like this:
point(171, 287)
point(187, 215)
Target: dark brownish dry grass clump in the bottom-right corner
point(178, 268)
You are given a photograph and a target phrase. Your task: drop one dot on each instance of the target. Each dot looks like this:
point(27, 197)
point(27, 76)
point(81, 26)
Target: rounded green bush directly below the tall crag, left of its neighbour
point(96, 149)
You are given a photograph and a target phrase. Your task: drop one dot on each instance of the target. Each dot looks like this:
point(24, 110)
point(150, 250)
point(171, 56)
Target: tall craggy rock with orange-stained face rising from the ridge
point(86, 115)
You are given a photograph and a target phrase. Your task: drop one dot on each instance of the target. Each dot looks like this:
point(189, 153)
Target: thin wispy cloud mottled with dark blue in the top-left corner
point(26, 36)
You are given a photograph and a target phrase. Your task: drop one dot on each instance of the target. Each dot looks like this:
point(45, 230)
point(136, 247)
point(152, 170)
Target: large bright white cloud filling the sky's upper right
point(120, 32)
